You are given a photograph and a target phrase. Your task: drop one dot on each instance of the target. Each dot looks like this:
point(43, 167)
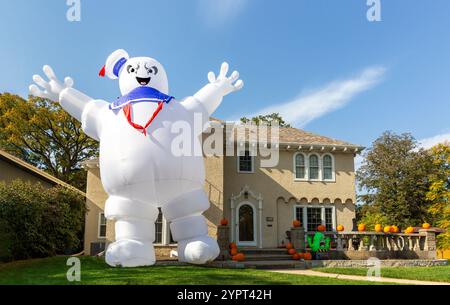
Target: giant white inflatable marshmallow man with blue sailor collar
point(138, 169)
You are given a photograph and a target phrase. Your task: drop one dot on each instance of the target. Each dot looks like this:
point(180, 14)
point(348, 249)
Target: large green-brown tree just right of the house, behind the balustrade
point(395, 176)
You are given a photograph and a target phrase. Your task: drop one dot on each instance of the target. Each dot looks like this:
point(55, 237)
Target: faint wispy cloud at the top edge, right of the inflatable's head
point(217, 13)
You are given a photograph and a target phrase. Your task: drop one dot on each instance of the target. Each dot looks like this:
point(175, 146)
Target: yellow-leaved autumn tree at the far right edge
point(439, 192)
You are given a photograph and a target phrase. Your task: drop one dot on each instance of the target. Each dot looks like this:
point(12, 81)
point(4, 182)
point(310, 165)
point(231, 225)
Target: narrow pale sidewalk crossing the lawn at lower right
point(358, 278)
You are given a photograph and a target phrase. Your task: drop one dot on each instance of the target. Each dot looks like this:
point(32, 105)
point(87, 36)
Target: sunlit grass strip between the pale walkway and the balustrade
point(438, 273)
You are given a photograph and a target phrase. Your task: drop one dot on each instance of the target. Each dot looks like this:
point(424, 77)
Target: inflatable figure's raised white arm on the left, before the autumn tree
point(82, 107)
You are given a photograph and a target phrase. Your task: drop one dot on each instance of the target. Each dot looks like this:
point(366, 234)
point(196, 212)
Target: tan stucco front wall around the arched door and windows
point(280, 192)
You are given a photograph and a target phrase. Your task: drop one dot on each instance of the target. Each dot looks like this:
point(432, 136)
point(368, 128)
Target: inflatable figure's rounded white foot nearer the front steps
point(199, 250)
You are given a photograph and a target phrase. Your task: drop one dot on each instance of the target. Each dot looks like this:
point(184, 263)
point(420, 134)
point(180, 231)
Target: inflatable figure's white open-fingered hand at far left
point(51, 88)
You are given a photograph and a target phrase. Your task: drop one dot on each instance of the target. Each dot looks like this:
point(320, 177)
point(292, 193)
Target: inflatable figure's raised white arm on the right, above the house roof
point(209, 98)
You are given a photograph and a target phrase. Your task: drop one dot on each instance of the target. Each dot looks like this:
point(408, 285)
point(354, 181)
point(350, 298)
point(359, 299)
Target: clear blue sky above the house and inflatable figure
point(320, 63)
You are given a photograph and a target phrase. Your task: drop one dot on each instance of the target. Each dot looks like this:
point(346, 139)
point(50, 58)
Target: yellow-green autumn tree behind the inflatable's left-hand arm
point(42, 133)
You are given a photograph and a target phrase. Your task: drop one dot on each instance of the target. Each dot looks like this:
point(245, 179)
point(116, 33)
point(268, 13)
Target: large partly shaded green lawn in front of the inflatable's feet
point(94, 271)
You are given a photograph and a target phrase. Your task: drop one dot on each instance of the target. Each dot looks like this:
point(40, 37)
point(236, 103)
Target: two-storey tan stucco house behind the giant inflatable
point(314, 181)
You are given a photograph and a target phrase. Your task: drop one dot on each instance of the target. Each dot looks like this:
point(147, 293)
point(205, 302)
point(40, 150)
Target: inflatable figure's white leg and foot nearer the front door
point(189, 228)
